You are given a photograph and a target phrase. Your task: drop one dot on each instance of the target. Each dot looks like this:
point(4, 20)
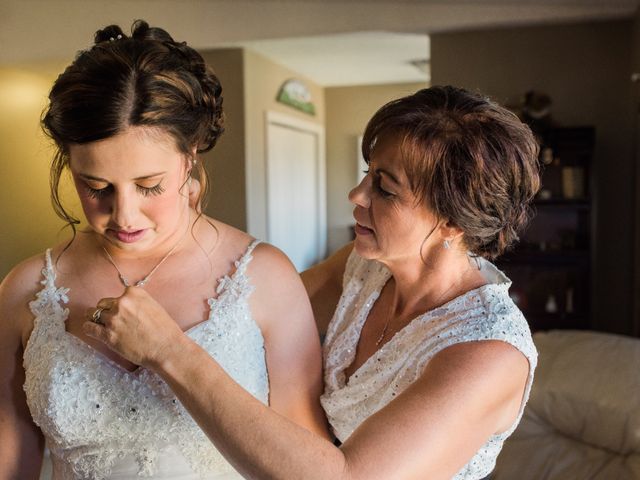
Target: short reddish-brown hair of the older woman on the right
point(469, 160)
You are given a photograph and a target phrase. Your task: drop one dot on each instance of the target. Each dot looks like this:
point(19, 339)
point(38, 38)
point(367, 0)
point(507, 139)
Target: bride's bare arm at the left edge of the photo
point(21, 442)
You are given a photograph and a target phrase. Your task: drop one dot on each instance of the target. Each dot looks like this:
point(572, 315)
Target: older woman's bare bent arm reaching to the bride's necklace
point(466, 393)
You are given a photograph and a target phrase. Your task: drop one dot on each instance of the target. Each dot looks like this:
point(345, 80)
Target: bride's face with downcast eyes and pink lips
point(132, 187)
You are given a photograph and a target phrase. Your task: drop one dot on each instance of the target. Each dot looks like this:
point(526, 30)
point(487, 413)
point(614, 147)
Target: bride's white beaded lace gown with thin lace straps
point(103, 422)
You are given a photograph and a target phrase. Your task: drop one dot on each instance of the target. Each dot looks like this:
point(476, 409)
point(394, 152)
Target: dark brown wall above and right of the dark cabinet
point(585, 69)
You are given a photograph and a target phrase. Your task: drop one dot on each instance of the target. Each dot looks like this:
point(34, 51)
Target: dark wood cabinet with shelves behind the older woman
point(551, 267)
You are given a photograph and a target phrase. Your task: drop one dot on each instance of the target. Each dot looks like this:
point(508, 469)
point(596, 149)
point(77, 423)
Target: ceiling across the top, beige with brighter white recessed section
point(334, 42)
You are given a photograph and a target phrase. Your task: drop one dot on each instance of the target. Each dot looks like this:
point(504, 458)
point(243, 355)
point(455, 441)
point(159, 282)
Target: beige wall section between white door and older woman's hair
point(348, 111)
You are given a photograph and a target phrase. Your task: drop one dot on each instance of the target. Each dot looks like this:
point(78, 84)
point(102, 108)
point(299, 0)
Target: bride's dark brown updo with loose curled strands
point(146, 79)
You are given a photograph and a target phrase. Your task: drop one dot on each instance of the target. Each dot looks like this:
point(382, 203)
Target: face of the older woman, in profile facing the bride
point(390, 224)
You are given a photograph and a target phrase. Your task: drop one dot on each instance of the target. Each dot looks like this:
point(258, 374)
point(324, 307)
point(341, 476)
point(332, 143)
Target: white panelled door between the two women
point(295, 189)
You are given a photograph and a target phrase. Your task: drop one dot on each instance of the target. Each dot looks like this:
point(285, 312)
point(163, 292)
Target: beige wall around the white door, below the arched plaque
point(262, 81)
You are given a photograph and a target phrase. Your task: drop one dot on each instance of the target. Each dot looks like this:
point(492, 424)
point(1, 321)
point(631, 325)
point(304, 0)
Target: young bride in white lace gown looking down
point(129, 117)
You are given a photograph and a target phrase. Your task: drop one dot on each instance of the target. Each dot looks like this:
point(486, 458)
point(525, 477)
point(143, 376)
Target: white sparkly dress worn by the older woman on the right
point(486, 313)
